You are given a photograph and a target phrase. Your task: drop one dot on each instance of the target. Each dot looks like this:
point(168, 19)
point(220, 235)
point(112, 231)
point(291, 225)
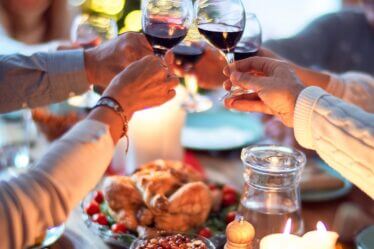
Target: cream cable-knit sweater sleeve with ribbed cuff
point(341, 133)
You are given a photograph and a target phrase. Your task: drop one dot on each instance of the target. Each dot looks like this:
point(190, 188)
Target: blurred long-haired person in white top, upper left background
point(28, 26)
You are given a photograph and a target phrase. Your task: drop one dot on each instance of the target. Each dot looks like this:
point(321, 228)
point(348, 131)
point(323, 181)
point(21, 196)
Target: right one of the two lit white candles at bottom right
point(321, 238)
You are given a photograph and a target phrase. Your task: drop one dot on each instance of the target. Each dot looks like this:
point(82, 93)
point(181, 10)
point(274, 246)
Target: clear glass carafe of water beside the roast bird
point(271, 194)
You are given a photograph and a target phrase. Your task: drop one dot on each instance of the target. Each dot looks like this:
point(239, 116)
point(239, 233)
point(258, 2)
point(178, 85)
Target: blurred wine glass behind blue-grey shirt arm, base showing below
point(89, 31)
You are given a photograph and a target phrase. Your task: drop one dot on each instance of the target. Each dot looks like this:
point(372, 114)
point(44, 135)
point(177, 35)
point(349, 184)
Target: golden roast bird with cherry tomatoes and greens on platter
point(163, 196)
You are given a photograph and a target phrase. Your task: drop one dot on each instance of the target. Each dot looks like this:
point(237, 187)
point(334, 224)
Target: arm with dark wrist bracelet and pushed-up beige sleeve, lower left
point(44, 195)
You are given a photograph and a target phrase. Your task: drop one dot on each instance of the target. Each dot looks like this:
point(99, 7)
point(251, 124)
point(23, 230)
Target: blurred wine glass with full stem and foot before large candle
point(186, 55)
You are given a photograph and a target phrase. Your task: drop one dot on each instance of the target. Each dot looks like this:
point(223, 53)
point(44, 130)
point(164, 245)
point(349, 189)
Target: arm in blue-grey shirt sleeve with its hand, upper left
point(45, 78)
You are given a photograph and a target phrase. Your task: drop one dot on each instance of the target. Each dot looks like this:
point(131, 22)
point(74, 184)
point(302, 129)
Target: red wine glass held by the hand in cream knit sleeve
point(222, 23)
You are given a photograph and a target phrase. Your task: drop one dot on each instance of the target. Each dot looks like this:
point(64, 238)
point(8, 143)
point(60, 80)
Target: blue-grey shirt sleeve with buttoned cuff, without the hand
point(40, 79)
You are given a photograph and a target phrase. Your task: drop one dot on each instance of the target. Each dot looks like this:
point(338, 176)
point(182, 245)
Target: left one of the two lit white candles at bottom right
point(283, 240)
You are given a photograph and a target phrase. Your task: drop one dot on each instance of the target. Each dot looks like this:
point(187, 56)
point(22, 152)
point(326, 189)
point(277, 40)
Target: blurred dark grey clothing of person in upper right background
point(338, 42)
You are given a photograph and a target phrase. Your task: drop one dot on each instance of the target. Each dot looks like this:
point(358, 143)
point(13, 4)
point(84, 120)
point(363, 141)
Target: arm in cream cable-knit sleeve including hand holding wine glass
point(341, 133)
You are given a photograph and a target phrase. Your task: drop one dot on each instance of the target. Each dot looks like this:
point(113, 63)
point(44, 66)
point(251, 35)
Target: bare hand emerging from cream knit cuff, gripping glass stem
point(276, 91)
